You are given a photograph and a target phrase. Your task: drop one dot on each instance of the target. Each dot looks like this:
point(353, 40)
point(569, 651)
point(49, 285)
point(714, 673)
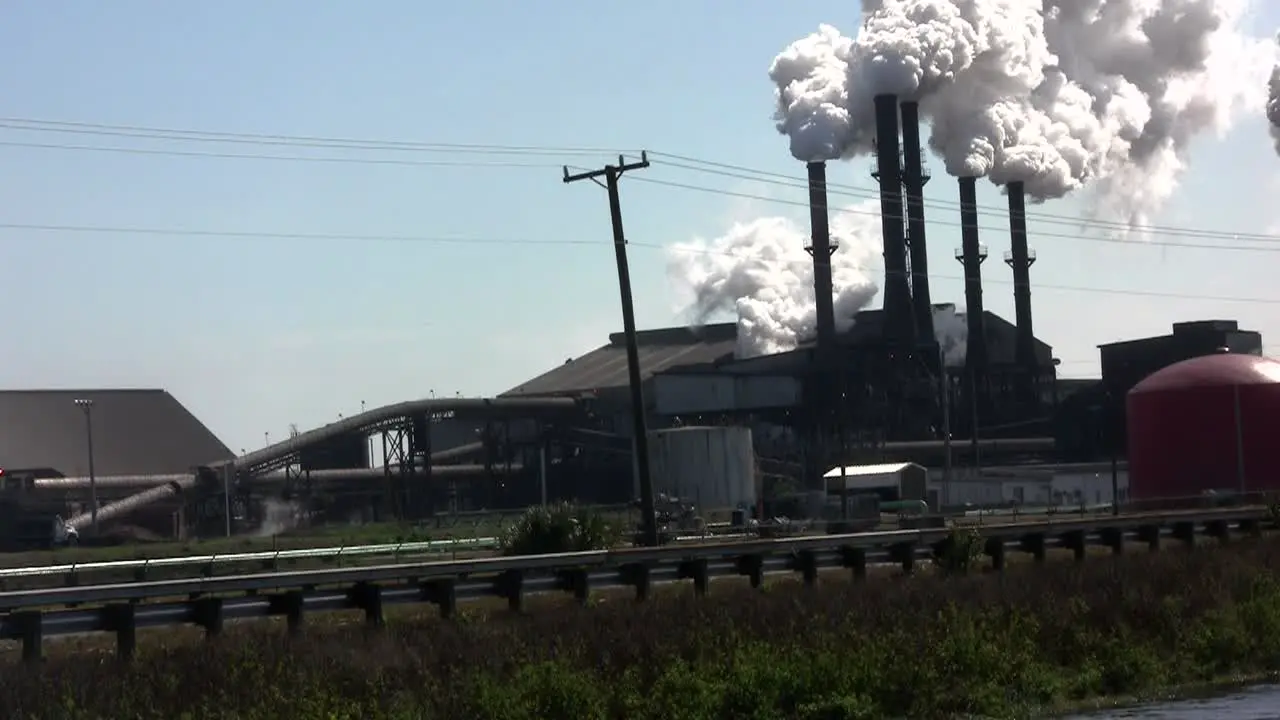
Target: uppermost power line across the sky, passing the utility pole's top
point(674, 160)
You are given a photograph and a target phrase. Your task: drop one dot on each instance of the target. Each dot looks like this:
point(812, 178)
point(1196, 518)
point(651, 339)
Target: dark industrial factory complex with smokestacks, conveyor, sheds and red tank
point(871, 405)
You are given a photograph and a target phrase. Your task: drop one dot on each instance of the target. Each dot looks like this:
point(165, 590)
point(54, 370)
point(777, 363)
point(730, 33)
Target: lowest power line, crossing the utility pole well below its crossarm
point(458, 240)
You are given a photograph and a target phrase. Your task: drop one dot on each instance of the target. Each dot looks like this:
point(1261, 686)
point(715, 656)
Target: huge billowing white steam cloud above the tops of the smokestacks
point(1058, 94)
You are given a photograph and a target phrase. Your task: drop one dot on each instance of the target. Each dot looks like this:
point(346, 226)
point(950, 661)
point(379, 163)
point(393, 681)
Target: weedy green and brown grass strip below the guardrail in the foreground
point(1030, 641)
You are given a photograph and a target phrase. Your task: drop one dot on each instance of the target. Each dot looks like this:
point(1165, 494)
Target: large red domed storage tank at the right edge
point(1206, 423)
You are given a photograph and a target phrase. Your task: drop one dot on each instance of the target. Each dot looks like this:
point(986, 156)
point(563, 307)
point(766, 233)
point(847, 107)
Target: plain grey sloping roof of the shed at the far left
point(136, 432)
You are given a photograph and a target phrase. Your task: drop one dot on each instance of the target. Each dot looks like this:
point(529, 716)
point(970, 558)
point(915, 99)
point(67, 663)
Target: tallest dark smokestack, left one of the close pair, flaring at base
point(899, 323)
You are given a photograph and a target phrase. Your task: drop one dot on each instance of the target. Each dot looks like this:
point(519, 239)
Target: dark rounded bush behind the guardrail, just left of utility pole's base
point(559, 528)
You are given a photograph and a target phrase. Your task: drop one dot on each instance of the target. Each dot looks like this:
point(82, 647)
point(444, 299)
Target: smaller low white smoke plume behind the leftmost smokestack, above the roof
point(760, 274)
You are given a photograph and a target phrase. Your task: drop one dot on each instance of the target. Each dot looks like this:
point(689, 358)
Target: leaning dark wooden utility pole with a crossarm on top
point(611, 175)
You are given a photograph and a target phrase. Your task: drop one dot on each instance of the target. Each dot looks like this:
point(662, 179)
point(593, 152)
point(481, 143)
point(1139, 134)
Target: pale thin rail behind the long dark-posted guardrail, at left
point(269, 559)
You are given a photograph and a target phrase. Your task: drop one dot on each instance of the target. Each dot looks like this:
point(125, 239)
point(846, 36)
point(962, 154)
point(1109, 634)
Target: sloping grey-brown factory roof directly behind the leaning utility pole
point(660, 350)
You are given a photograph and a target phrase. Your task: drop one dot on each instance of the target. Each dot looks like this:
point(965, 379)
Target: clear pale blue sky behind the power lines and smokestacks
point(257, 334)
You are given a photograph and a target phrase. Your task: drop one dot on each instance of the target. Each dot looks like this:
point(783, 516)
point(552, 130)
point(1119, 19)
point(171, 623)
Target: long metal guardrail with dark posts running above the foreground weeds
point(209, 603)
